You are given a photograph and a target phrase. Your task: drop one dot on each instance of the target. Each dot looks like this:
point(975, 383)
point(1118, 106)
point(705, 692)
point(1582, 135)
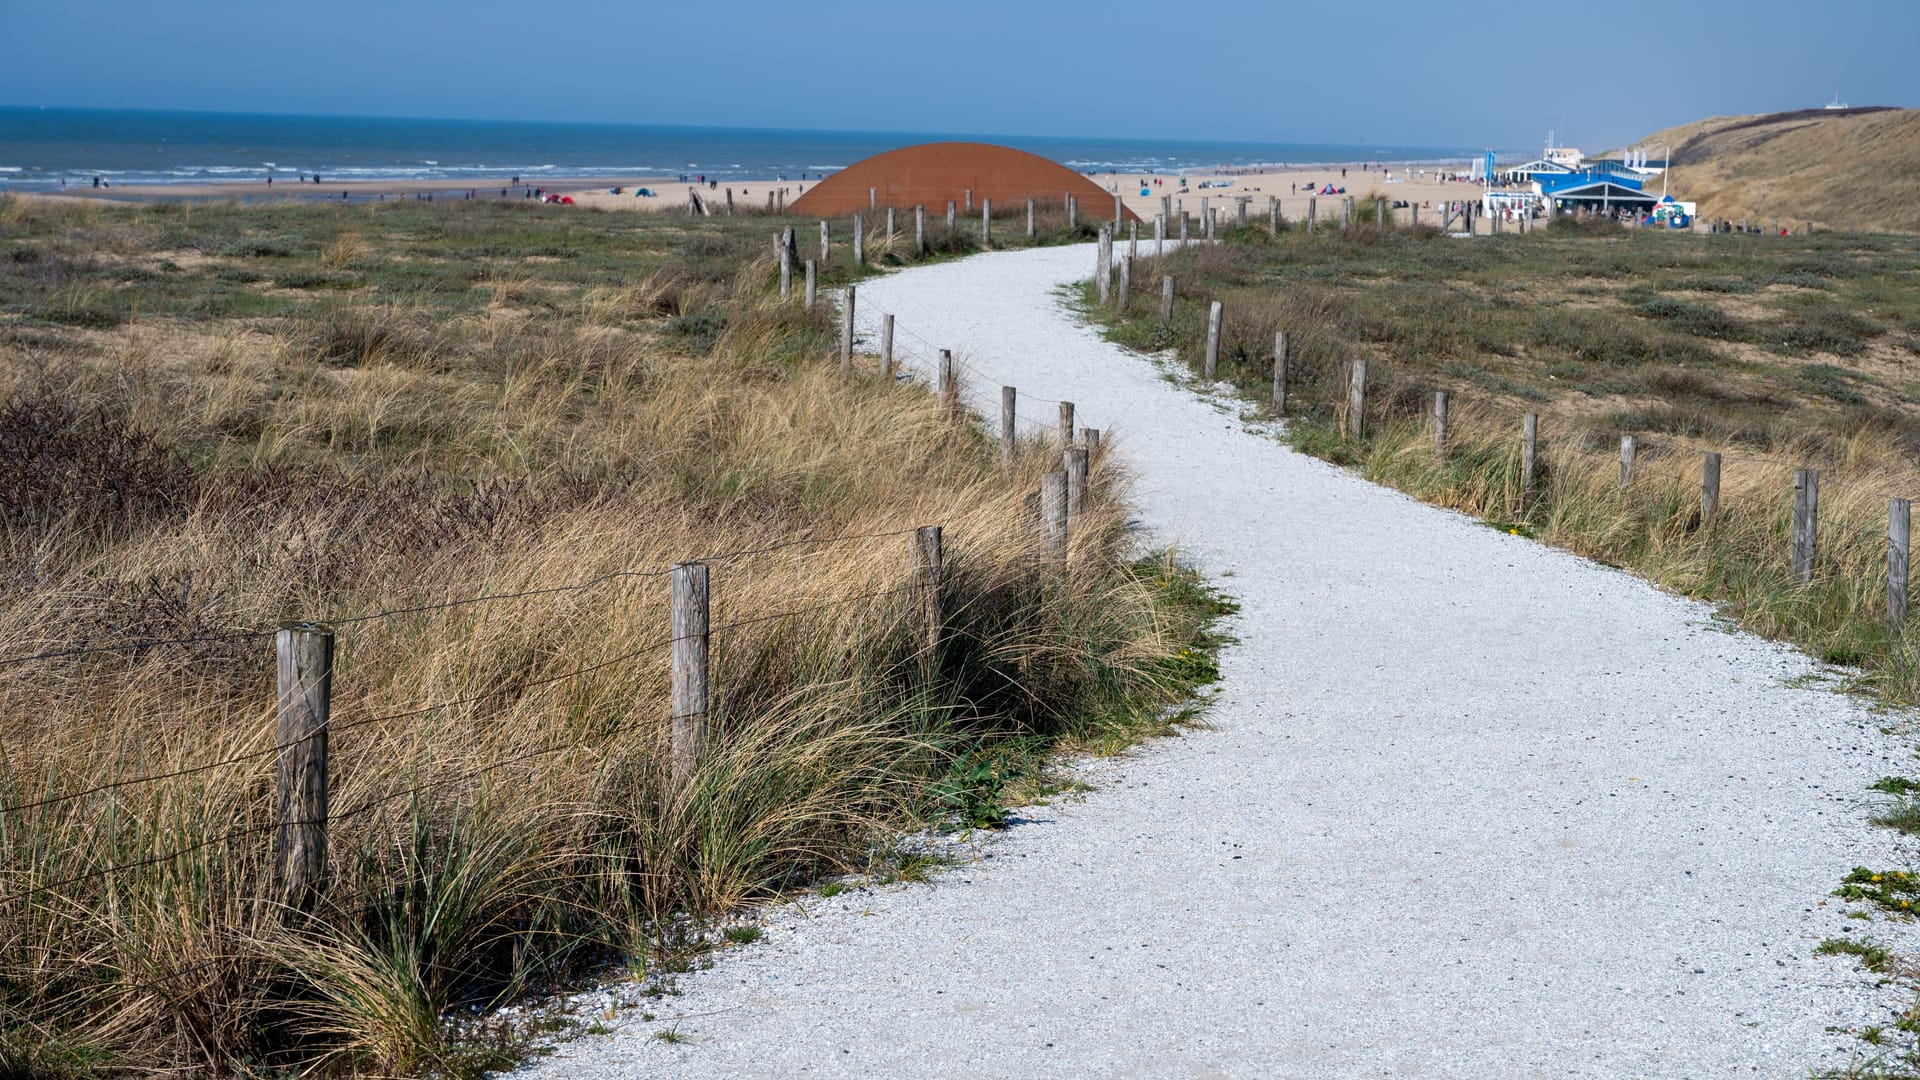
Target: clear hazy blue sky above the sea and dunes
point(1272, 72)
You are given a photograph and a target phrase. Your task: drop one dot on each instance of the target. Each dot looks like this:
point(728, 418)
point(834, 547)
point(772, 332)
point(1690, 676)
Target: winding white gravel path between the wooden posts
point(1474, 808)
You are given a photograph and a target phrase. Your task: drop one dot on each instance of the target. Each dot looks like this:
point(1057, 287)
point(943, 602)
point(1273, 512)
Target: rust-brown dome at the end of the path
point(934, 174)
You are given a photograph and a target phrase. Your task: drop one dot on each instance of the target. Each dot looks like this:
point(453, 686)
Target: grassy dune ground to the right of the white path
point(1773, 353)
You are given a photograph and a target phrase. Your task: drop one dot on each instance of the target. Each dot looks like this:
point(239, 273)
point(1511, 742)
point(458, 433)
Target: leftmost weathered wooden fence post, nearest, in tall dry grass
point(304, 670)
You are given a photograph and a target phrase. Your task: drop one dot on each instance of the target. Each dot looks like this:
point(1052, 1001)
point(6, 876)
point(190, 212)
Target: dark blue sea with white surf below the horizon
point(39, 149)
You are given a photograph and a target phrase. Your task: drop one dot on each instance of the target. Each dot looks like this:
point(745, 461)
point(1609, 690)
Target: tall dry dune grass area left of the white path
point(220, 418)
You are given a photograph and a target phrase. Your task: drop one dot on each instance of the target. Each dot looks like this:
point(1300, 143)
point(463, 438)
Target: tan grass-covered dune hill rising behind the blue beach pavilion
point(1836, 168)
